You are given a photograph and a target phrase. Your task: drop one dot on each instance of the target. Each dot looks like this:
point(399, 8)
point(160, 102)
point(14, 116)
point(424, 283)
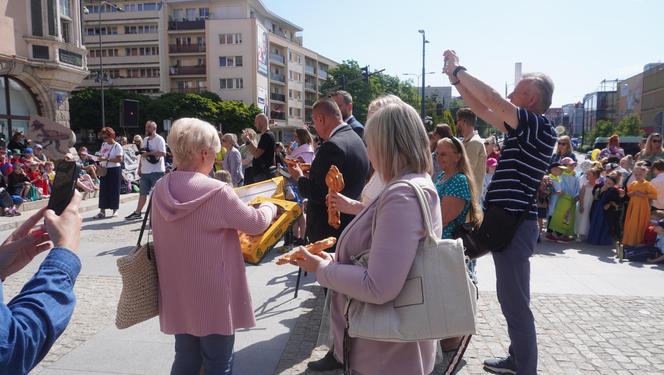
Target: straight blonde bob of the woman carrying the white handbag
point(397, 142)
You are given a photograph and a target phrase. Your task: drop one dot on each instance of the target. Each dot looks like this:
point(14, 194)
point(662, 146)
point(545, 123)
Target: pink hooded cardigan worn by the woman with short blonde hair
point(202, 283)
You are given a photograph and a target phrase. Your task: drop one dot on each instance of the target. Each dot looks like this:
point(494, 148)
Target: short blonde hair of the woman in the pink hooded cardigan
point(189, 136)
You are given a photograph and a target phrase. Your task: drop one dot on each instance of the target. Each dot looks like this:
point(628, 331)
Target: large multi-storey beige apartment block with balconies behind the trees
point(237, 49)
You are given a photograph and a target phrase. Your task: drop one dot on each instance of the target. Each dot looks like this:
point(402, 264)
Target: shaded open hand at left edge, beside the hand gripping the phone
point(23, 245)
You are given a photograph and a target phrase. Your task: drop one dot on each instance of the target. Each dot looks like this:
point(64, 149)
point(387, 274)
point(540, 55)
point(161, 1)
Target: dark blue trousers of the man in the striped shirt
point(513, 289)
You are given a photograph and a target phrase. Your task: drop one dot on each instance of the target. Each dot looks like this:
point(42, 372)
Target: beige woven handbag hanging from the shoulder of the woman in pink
point(139, 299)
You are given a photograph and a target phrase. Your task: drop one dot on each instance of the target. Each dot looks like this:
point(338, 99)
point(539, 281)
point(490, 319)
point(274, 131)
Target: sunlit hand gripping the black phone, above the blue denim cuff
point(65, 230)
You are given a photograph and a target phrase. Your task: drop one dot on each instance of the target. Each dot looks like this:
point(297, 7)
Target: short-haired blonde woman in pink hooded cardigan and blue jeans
point(195, 219)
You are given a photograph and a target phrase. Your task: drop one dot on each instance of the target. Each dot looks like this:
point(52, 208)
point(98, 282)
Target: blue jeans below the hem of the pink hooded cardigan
point(213, 352)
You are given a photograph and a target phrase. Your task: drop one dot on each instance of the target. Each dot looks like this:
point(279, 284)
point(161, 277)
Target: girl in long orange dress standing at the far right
point(638, 210)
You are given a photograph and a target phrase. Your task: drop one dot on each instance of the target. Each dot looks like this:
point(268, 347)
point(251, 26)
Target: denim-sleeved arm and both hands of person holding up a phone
point(34, 319)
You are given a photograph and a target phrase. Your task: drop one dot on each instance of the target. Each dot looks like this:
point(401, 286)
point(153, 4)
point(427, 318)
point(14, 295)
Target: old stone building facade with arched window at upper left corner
point(42, 59)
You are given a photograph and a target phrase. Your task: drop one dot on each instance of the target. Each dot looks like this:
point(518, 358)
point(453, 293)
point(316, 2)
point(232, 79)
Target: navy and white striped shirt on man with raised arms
point(523, 161)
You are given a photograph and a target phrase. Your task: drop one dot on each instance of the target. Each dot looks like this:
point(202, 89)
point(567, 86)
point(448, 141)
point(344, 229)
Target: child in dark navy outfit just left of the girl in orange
point(605, 211)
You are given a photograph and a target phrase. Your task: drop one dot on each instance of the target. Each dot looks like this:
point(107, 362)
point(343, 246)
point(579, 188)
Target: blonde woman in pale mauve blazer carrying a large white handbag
point(398, 149)
